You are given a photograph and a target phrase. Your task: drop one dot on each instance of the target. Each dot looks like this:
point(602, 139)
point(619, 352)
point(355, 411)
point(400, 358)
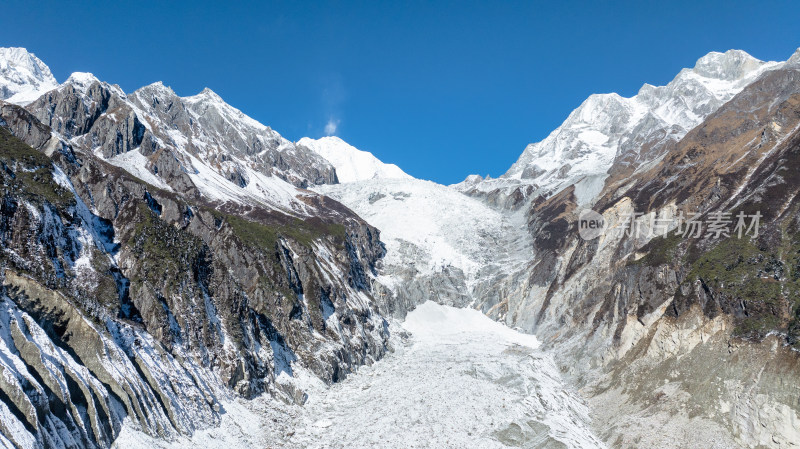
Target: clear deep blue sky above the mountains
point(442, 89)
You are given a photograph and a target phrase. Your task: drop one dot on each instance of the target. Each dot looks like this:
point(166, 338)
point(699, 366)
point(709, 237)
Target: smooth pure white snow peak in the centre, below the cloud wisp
point(351, 163)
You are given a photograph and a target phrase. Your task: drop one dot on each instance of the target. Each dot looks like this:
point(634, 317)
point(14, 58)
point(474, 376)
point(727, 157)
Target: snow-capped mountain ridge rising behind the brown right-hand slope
point(607, 127)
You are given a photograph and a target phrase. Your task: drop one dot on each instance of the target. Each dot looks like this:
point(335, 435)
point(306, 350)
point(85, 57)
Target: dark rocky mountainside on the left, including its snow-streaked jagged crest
point(156, 292)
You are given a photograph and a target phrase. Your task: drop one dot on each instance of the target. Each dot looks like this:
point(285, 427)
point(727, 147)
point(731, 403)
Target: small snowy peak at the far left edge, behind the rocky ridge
point(23, 76)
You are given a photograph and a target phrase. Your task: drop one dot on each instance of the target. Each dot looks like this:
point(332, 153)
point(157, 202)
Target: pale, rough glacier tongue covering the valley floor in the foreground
point(458, 380)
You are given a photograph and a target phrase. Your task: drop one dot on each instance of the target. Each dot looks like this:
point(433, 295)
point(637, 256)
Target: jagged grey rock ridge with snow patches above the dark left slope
point(177, 143)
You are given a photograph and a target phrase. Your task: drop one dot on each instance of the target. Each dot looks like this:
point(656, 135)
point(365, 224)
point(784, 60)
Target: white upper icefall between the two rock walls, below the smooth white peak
point(440, 243)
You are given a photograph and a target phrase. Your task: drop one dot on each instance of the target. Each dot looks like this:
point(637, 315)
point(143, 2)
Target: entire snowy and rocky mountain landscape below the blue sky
point(166, 259)
